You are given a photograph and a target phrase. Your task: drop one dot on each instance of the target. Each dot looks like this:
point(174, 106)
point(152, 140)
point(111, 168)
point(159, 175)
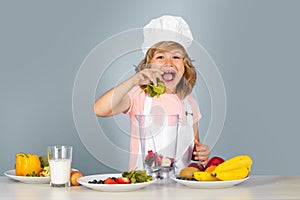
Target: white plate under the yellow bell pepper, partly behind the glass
point(26, 179)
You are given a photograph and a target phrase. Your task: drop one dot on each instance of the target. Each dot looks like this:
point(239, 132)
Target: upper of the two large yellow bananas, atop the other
point(241, 161)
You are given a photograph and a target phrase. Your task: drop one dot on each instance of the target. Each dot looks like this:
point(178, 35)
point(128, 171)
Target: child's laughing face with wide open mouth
point(171, 63)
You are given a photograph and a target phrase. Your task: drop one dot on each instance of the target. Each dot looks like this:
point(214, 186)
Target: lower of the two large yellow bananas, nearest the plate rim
point(234, 174)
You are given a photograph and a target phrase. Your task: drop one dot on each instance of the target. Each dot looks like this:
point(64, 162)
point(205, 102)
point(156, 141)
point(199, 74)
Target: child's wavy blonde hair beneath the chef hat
point(188, 80)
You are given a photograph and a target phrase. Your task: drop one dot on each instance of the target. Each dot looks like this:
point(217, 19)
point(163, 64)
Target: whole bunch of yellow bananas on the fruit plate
point(235, 168)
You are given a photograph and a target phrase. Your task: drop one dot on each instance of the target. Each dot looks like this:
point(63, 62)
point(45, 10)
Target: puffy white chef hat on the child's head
point(166, 28)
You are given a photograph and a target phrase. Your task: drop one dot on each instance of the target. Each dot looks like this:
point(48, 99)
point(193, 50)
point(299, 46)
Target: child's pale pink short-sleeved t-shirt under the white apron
point(166, 103)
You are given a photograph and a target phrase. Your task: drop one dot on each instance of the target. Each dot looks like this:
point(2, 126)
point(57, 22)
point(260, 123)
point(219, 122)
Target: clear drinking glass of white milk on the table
point(60, 158)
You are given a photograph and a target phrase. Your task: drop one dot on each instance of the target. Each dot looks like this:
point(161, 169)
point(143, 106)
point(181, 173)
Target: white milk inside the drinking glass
point(60, 171)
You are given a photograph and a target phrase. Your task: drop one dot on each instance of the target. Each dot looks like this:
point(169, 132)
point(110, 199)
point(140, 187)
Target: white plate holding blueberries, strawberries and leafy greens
point(110, 187)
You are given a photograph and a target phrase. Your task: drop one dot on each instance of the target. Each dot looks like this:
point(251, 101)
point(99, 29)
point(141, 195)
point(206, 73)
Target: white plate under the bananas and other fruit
point(209, 184)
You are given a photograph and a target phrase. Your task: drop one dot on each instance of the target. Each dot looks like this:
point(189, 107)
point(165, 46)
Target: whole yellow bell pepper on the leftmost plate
point(27, 164)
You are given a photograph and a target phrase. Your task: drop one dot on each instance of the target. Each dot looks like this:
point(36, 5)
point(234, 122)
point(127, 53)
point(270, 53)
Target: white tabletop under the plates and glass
point(257, 187)
